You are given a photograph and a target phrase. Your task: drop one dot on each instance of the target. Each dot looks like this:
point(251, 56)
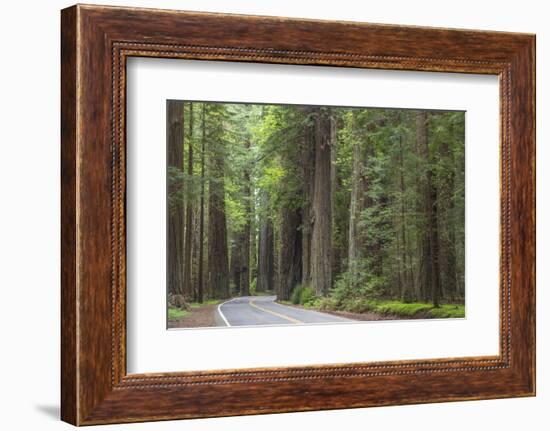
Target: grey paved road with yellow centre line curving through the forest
point(263, 310)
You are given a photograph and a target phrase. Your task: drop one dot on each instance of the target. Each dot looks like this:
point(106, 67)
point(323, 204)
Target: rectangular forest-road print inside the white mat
point(296, 214)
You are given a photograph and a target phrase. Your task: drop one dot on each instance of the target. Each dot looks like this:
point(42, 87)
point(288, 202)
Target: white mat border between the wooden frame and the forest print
point(151, 348)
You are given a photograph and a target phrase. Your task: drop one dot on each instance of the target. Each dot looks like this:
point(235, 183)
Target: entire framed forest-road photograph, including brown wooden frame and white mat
point(266, 215)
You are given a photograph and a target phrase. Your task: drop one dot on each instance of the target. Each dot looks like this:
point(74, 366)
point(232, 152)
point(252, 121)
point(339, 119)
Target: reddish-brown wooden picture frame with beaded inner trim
point(95, 43)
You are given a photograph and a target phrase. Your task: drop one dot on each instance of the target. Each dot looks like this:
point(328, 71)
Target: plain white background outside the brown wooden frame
point(29, 216)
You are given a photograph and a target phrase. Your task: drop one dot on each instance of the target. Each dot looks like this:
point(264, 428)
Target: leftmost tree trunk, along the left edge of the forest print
point(176, 220)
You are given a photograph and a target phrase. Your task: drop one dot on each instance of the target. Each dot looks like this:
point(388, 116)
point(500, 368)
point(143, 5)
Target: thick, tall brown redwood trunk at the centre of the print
point(321, 241)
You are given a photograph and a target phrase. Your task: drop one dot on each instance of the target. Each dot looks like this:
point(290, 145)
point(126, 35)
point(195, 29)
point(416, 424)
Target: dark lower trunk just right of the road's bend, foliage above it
point(290, 262)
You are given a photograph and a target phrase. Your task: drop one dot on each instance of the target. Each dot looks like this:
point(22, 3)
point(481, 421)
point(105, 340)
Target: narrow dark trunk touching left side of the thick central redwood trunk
point(308, 172)
